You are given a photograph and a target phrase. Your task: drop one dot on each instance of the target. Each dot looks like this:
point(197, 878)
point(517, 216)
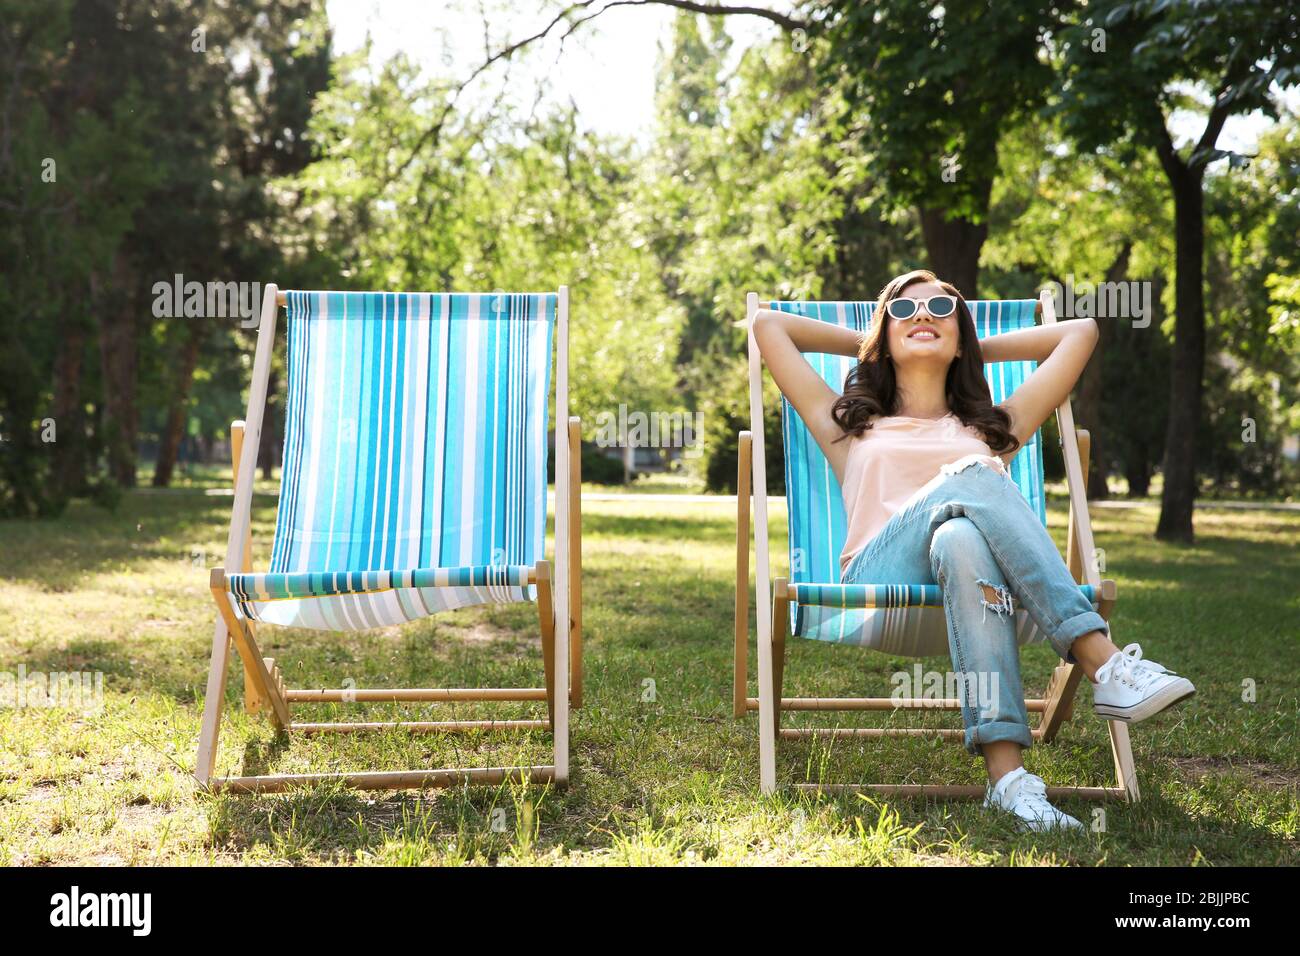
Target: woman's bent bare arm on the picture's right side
point(1061, 352)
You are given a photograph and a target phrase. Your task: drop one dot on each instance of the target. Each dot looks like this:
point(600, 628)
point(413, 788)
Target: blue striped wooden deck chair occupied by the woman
point(896, 618)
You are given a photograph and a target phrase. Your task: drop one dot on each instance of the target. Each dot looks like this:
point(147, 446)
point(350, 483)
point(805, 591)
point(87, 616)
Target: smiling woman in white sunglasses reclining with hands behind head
point(921, 453)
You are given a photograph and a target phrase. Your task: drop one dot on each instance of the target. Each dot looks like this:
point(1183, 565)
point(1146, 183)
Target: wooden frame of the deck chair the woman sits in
point(773, 618)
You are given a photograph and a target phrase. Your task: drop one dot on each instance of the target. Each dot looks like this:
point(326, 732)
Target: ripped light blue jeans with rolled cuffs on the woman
point(968, 529)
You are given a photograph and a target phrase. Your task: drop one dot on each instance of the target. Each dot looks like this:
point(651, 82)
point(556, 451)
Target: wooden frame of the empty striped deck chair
point(265, 686)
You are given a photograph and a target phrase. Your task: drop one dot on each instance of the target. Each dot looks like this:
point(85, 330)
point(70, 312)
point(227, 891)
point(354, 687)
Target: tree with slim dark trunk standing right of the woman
point(1128, 67)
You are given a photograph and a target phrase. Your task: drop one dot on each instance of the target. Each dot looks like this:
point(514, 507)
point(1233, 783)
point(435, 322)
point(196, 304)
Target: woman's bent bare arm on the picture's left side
point(782, 340)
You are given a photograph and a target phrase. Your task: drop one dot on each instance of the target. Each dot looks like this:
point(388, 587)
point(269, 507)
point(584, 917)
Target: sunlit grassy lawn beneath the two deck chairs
point(662, 773)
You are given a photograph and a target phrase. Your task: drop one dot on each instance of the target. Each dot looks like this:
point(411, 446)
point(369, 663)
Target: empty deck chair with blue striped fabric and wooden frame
point(414, 482)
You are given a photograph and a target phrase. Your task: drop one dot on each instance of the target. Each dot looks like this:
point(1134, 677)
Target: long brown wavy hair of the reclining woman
point(872, 387)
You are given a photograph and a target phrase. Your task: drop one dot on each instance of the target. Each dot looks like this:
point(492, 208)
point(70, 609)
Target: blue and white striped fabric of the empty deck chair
point(415, 458)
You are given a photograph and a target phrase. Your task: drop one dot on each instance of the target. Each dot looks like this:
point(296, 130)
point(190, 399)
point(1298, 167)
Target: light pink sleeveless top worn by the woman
point(892, 461)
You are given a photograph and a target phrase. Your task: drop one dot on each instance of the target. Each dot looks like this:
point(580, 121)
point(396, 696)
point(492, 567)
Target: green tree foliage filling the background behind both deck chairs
point(794, 170)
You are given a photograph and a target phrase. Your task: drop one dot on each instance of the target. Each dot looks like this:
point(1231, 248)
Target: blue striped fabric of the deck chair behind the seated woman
point(898, 617)
